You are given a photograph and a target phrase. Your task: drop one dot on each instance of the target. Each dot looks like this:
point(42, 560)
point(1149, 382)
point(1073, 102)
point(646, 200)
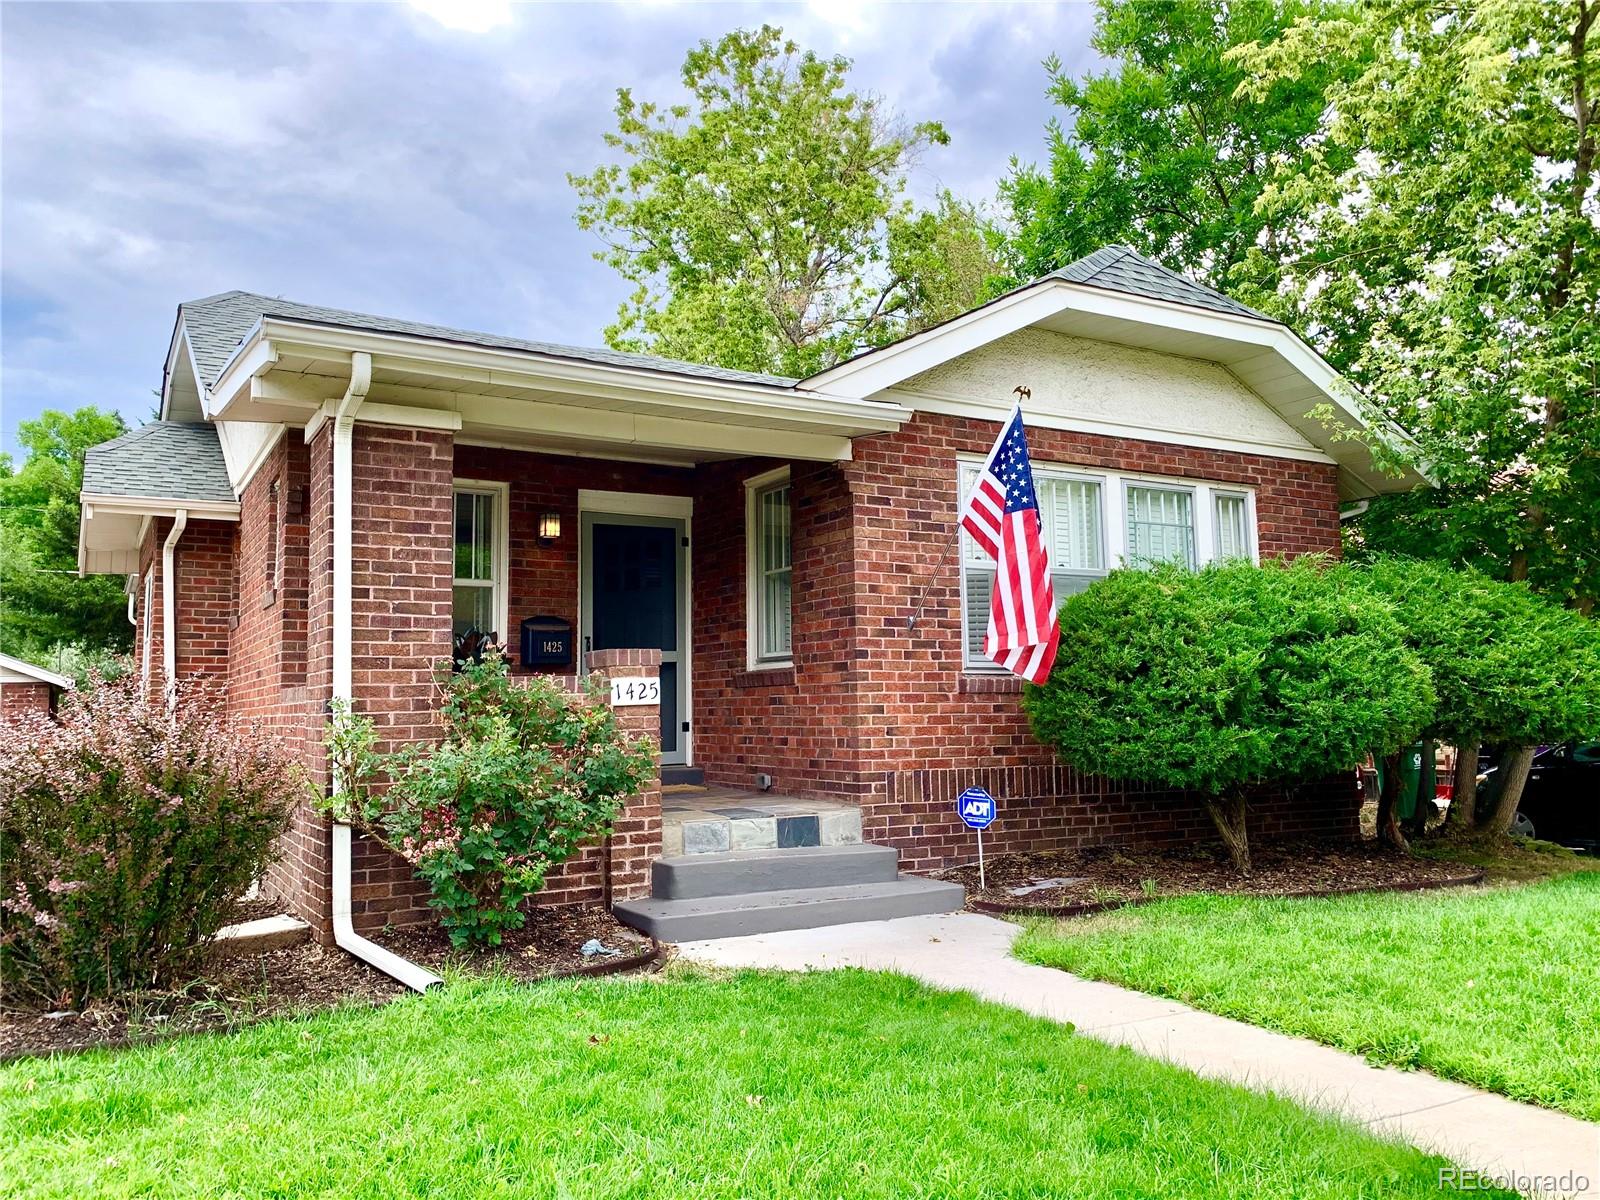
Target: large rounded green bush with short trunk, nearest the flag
point(1230, 679)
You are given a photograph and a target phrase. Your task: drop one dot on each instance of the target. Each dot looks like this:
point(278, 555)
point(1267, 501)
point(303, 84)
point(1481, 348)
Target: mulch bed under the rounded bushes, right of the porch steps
point(1098, 878)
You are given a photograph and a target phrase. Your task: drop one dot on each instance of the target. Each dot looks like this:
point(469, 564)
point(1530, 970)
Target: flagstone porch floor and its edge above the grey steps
point(708, 820)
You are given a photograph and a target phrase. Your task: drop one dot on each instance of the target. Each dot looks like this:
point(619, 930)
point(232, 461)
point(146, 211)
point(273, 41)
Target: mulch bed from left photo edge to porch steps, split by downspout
point(241, 990)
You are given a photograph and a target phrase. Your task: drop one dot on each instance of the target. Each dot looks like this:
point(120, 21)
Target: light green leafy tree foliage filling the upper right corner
point(1449, 217)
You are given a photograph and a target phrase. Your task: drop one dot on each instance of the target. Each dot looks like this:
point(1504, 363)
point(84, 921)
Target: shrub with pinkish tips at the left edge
point(127, 834)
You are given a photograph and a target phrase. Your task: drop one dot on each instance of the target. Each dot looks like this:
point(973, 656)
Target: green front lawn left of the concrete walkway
point(686, 1086)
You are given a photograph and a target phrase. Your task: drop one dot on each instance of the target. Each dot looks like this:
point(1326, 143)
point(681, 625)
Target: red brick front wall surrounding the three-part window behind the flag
point(926, 724)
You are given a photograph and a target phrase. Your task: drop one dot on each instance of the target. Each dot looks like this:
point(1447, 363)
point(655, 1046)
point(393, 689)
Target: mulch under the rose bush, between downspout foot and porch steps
point(550, 945)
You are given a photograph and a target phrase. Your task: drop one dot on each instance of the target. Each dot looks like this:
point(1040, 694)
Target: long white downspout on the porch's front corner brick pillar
point(345, 934)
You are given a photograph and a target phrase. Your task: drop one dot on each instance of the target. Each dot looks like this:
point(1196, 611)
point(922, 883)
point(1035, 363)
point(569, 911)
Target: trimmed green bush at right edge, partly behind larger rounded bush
point(1510, 668)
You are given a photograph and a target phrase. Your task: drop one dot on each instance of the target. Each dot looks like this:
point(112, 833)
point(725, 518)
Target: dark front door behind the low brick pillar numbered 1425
point(634, 599)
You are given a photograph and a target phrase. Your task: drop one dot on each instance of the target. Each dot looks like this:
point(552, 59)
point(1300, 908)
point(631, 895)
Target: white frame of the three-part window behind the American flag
point(1114, 524)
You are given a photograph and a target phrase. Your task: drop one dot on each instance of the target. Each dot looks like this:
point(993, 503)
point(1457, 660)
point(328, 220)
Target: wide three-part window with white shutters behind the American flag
point(1097, 521)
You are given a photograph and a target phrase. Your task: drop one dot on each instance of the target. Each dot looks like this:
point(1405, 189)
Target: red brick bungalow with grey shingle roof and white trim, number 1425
point(329, 497)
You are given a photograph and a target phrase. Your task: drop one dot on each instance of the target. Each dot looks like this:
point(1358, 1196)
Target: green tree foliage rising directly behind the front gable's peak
point(1164, 153)
